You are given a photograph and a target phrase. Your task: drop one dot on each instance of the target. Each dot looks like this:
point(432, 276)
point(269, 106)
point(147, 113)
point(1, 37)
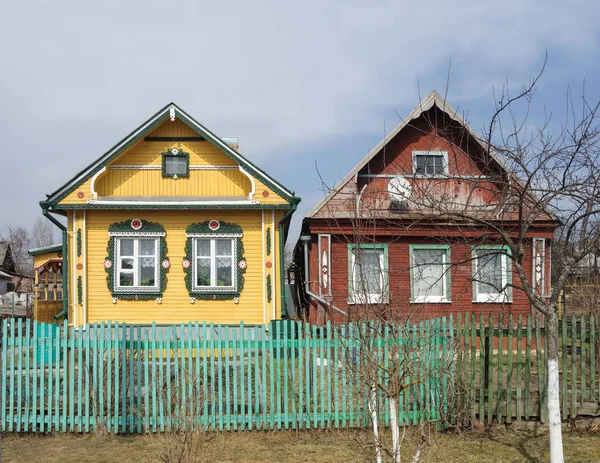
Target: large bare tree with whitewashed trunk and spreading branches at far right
point(539, 172)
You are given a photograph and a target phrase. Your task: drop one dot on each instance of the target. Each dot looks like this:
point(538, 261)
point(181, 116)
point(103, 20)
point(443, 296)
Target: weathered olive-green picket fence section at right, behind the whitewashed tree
point(502, 368)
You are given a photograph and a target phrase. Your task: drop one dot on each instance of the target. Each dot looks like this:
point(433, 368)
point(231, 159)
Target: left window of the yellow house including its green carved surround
point(137, 262)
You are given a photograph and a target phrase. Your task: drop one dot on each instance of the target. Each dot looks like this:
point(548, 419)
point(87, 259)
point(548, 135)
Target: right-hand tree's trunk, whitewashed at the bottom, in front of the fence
point(556, 444)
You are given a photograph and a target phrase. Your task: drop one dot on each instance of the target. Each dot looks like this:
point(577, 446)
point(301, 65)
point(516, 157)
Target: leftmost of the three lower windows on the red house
point(367, 274)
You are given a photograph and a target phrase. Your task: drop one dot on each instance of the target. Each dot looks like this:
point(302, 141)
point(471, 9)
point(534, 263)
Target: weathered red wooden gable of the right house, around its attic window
point(466, 162)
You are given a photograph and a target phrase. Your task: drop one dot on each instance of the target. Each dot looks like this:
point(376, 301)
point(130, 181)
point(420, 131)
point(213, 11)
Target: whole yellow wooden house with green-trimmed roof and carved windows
point(170, 225)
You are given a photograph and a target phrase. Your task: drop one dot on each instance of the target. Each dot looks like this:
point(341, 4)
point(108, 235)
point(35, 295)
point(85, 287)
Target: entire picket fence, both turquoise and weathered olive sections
point(132, 379)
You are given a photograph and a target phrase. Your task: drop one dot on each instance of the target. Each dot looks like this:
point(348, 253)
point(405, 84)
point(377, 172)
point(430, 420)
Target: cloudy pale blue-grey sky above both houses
point(298, 82)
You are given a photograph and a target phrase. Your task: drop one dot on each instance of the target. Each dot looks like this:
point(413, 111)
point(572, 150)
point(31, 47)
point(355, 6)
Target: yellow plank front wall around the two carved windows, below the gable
point(176, 306)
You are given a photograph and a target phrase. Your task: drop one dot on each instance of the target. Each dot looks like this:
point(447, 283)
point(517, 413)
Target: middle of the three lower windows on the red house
point(430, 273)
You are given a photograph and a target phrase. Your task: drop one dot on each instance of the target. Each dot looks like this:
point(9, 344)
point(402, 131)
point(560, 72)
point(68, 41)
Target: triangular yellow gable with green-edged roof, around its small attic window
point(133, 172)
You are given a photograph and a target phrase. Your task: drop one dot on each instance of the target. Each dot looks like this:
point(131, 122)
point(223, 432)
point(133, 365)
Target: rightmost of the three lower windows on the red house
point(491, 274)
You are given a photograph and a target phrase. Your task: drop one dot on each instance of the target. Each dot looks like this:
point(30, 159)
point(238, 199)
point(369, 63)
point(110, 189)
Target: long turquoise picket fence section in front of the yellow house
point(133, 379)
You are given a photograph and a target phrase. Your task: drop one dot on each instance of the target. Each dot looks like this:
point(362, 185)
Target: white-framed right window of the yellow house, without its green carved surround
point(215, 265)
